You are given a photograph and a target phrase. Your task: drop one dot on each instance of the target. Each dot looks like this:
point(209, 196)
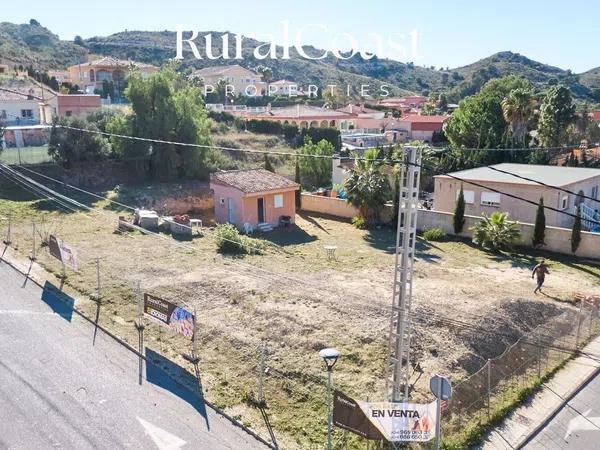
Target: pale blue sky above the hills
point(449, 33)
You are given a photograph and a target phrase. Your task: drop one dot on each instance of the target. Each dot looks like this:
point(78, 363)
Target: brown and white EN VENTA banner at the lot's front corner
point(394, 422)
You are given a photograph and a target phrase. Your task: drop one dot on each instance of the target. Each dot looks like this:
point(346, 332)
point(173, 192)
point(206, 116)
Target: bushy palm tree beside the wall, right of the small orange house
point(368, 187)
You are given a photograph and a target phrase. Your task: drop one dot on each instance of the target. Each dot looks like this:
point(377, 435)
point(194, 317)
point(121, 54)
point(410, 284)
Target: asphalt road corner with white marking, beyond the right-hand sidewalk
point(576, 426)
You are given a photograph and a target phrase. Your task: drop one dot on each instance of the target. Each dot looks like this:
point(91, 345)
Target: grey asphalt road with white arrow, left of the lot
point(57, 390)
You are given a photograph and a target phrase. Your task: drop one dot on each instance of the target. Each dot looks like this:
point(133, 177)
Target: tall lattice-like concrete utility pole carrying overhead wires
point(397, 382)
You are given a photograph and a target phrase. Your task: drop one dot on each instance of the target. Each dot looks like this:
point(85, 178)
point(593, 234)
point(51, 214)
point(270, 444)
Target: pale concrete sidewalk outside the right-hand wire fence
point(529, 418)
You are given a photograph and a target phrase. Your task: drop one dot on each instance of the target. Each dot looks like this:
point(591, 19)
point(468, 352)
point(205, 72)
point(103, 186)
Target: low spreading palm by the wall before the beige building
point(495, 232)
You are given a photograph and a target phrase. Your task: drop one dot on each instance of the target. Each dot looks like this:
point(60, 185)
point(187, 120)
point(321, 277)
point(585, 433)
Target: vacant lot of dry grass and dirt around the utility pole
point(297, 301)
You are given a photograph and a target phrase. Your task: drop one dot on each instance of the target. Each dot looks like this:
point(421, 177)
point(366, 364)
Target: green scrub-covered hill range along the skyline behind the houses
point(33, 44)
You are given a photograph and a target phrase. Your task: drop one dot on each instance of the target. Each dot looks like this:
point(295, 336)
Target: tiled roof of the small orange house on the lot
point(253, 180)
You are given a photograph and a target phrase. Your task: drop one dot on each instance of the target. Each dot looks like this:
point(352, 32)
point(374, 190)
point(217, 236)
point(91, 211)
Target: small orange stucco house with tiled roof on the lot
point(256, 197)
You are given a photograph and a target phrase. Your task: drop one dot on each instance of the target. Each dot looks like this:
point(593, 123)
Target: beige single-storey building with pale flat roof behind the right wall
point(583, 181)
